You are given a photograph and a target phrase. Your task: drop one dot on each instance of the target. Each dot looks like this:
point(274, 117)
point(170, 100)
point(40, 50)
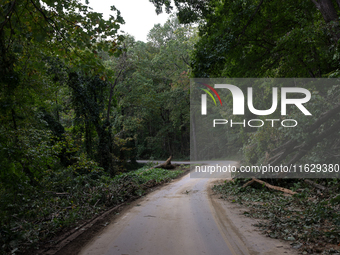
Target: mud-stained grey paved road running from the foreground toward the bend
point(180, 218)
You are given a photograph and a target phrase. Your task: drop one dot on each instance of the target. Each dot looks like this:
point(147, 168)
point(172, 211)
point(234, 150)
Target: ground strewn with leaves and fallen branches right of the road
point(309, 220)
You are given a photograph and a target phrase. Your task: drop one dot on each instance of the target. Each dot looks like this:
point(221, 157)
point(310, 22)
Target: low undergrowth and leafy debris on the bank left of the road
point(64, 197)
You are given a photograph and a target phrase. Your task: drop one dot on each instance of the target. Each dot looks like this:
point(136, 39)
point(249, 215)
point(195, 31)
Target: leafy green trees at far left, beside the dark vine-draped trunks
point(39, 42)
